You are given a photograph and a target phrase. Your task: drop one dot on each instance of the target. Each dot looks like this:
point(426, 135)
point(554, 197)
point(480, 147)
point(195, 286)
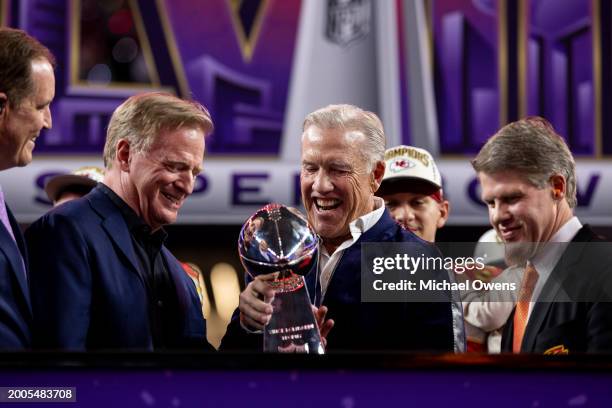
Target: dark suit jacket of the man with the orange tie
point(584, 324)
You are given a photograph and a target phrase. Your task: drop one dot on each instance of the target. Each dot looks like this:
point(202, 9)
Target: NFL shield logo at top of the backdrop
point(348, 20)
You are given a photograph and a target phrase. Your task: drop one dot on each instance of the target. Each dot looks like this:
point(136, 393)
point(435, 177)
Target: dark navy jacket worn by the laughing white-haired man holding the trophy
point(374, 326)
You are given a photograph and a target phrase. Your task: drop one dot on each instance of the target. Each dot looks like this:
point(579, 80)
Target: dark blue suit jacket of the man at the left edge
point(15, 308)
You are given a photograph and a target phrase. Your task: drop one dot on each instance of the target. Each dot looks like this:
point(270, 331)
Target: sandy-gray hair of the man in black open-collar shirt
point(142, 117)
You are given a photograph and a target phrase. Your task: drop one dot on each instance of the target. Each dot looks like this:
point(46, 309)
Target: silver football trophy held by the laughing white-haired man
point(278, 239)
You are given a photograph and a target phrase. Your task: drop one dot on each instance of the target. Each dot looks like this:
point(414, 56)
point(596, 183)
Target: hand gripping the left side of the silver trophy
point(255, 302)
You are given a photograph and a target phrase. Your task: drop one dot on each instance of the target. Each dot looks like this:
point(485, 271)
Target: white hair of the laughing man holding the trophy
point(350, 117)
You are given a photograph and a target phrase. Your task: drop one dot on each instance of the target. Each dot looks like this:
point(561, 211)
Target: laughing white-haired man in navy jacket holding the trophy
point(342, 166)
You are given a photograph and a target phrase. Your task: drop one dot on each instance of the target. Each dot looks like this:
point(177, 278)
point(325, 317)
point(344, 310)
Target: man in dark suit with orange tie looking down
point(527, 175)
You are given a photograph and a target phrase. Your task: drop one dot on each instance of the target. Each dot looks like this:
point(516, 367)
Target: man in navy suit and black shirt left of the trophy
point(102, 277)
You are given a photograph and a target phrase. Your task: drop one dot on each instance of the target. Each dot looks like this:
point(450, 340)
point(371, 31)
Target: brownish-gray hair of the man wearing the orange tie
point(532, 148)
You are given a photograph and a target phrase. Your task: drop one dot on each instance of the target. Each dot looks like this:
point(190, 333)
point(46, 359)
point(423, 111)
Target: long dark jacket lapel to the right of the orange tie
point(552, 290)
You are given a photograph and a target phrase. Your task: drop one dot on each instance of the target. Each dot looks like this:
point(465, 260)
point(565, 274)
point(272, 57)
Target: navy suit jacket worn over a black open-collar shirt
point(87, 290)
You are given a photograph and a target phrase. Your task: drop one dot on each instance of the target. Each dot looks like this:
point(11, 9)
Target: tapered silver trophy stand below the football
point(293, 327)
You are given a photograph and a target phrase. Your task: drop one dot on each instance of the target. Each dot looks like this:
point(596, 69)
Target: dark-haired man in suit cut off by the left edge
point(27, 87)
